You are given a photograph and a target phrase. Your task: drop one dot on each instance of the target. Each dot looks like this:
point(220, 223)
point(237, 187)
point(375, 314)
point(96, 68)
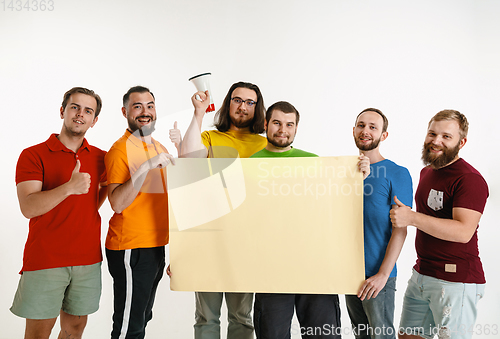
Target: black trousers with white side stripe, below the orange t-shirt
point(136, 274)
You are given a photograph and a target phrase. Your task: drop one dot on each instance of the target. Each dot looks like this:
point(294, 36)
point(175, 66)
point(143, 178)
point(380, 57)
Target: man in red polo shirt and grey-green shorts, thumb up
point(60, 186)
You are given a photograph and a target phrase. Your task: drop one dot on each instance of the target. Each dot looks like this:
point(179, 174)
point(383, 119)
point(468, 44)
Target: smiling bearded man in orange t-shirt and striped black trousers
point(138, 231)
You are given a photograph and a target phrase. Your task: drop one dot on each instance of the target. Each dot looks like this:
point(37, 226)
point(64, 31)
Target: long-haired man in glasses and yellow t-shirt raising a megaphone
point(239, 123)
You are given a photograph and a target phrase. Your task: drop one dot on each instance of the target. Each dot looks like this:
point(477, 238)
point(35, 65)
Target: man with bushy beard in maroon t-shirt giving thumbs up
point(448, 279)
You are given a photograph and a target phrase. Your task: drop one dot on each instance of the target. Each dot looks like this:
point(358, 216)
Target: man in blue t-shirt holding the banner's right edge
point(372, 310)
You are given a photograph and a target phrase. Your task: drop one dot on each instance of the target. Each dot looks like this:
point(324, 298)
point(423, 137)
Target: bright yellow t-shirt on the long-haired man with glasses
point(230, 144)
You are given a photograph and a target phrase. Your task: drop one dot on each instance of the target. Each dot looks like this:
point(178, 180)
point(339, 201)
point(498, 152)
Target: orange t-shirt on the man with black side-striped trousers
point(144, 223)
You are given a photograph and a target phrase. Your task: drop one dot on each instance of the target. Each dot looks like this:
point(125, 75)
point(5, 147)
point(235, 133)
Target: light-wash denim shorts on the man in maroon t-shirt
point(437, 307)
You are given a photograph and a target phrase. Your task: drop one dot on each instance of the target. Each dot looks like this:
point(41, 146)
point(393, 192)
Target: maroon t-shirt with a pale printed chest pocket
point(438, 192)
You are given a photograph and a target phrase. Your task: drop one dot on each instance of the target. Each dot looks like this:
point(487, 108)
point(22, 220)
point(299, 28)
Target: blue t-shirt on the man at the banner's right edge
point(386, 180)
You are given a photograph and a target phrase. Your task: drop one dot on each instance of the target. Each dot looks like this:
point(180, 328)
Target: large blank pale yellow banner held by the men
point(281, 225)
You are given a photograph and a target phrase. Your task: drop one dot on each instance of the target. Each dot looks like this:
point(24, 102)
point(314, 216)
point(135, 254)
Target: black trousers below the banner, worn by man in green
point(318, 315)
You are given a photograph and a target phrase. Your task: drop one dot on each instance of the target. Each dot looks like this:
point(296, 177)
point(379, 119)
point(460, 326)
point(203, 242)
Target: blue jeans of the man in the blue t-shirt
point(374, 317)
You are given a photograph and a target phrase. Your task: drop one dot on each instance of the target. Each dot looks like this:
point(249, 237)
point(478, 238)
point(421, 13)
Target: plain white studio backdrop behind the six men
point(331, 59)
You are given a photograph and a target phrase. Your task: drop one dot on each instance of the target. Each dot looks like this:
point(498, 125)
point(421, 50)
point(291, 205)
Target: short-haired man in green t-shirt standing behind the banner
point(273, 312)
